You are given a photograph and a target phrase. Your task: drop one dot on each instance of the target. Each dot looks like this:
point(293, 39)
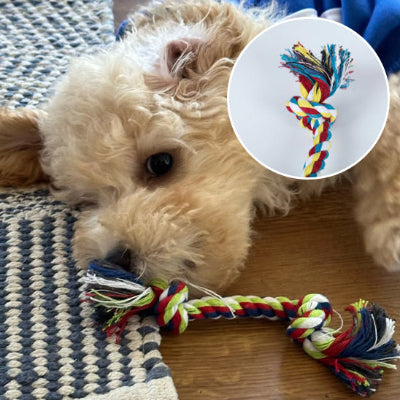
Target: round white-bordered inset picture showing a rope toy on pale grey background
point(308, 98)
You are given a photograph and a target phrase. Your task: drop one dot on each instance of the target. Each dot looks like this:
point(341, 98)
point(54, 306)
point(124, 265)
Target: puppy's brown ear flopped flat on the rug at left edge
point(20, 144)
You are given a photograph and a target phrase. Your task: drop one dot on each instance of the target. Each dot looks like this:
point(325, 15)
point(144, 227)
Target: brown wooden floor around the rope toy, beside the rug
point(317, 249)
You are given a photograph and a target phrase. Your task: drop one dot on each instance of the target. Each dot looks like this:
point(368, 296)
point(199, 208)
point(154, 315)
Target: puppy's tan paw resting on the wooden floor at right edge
point(382, 242)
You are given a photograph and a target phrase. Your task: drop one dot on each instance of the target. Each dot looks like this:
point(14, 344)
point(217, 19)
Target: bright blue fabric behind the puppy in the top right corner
point(378, 21)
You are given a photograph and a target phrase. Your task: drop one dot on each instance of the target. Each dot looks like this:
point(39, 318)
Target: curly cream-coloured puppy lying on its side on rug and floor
point(139, 136)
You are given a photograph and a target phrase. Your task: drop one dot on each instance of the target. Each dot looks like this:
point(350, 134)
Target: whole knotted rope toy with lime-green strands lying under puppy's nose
point(357, 356)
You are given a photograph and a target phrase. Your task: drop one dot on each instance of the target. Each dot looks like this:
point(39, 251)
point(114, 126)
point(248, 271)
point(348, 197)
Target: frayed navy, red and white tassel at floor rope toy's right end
point(359, 355)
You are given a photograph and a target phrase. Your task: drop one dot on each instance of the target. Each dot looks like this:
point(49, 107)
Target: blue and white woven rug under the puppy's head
point(49, 346)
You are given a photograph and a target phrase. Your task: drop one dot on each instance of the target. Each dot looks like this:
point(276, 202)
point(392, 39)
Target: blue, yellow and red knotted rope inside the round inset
point(319, 79)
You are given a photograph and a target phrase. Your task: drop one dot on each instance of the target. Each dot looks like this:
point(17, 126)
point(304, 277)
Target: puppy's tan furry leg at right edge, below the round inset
point(377, 190)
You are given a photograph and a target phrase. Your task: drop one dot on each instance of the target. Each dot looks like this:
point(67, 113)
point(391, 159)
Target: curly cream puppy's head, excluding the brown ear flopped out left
point(142, 134)
